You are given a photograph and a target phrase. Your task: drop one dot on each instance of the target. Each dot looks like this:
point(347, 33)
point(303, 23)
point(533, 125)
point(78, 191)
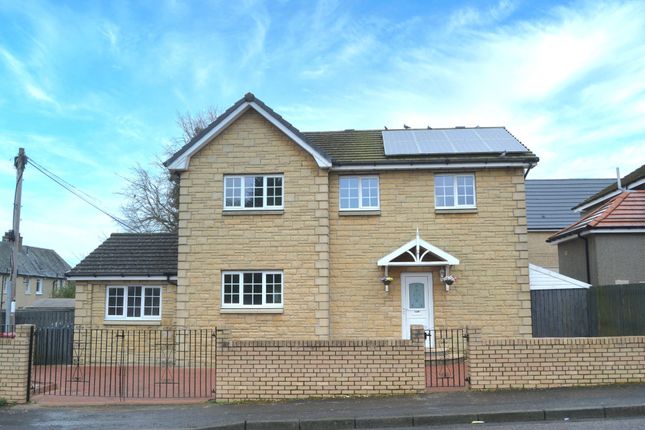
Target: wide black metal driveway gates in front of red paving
point(124, 363)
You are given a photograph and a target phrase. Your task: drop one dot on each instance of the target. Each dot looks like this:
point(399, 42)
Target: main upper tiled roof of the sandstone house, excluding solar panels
point(343, 148)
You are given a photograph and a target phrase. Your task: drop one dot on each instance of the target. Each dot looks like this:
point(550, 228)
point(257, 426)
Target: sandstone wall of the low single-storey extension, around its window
point(90, 304)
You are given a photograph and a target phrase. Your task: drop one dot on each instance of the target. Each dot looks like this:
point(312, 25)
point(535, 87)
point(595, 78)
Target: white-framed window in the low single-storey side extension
point(133, 302)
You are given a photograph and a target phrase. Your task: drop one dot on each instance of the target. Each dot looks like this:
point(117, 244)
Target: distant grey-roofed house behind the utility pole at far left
point(40, 272)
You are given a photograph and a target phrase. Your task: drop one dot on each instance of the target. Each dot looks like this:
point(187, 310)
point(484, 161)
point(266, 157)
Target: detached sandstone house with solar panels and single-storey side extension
point(327, 235)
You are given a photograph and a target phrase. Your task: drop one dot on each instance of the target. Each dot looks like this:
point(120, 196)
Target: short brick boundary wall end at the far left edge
point(14, 365)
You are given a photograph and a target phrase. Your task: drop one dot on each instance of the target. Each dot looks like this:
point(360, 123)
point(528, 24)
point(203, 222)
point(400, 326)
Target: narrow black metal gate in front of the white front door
point(446, 358)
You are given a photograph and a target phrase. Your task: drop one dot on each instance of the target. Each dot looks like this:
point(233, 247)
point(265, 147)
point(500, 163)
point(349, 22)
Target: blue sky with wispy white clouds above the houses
point(90, 89)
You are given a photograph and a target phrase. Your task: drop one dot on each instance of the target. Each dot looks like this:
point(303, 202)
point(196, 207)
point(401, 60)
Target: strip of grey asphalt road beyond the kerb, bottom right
point(602, 424)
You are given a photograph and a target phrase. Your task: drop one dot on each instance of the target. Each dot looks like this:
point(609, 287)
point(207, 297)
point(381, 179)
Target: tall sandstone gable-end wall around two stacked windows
point(295, 241)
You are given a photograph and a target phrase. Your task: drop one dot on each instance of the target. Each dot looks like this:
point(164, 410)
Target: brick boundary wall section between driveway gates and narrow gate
point(292, 369)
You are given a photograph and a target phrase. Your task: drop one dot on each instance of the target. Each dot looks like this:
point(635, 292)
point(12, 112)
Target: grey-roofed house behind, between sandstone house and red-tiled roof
point(549, 204)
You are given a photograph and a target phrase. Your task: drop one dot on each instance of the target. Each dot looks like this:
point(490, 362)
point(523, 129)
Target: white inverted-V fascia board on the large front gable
point(182, 162)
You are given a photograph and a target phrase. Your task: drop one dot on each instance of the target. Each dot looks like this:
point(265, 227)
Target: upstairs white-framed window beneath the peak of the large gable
point(253, 192)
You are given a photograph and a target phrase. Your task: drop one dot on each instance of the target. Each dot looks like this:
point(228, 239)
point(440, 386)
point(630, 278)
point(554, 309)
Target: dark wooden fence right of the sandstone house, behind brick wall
point(608, 310)
